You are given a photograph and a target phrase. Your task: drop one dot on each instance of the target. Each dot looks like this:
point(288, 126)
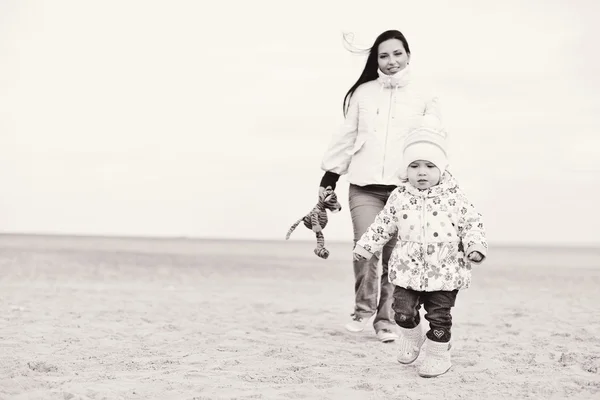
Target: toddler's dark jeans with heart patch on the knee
point(407, 304)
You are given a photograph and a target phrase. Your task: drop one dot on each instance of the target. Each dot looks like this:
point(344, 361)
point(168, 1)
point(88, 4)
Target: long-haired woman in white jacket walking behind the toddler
point(380, 109)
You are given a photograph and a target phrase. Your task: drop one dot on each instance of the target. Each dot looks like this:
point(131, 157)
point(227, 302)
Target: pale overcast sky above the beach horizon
point(172, 118)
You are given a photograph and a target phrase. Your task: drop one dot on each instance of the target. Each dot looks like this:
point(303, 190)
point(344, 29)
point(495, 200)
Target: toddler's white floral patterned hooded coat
point(436, 230)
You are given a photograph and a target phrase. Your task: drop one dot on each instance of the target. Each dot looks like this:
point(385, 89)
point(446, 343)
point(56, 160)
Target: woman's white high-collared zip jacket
point(369, 146)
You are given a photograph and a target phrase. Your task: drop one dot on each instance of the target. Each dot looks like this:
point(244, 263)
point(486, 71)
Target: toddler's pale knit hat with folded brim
point(426, 144)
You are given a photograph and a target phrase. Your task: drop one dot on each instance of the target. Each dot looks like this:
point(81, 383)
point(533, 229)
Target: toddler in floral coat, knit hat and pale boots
point(440, 235)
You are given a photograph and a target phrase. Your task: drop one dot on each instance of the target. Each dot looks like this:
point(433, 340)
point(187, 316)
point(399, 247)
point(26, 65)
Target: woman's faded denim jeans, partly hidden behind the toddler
point(365, 202)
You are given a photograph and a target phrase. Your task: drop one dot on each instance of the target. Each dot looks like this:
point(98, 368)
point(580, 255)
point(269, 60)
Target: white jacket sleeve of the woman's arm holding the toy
point(338, 154)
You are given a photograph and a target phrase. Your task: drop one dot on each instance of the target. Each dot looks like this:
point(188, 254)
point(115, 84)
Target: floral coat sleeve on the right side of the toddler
point(471, 229)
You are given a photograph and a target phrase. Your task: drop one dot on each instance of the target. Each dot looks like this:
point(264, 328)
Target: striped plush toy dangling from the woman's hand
point(316, 219)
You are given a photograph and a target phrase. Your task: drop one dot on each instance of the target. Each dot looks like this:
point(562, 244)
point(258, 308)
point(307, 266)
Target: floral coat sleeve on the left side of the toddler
point(382, 230)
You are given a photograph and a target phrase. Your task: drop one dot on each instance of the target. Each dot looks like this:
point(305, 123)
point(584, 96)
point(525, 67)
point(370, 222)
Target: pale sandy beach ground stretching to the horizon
point(107, 318)
